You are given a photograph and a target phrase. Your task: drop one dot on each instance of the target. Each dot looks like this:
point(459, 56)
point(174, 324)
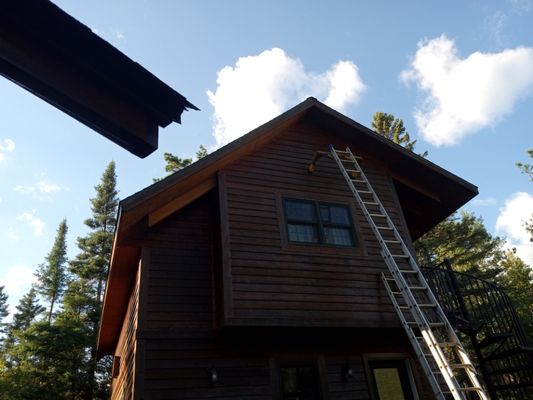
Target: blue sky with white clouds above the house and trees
point(459, 73)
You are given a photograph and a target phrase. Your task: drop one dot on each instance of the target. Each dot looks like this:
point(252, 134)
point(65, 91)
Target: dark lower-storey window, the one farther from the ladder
point(299, 383)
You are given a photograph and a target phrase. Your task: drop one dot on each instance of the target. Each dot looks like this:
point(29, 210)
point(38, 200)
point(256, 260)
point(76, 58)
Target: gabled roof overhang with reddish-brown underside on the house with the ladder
point(420, 183)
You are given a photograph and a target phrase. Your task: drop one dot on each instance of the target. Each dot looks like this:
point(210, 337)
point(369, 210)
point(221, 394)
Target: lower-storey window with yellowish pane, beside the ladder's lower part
point(391, 379)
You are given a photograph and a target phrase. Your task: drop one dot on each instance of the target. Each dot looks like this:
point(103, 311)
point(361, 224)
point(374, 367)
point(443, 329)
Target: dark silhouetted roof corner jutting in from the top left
point(57, 58)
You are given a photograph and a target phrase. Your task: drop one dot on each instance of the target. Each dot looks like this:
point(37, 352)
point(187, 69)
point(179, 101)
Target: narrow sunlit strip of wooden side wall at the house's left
point(124, 383)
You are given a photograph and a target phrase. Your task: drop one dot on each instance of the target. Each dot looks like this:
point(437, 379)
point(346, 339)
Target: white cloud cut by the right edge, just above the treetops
point(517, 209)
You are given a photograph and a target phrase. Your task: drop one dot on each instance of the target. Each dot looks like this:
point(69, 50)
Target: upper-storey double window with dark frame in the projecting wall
point(316, 222)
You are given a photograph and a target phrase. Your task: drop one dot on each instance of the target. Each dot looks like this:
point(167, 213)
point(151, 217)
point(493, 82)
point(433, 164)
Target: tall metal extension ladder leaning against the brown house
point(440, 353)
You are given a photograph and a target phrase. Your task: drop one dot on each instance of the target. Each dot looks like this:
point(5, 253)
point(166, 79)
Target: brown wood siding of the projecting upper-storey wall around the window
point(269, 281)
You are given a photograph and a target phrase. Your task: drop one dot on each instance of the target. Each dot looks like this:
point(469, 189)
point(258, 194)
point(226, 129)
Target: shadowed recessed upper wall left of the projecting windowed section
point(179, 292)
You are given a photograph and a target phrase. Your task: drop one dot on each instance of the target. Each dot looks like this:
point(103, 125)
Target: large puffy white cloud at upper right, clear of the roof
point(463, 95)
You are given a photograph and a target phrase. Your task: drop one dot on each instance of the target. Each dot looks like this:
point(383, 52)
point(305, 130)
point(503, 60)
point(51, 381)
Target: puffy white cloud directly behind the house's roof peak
point(260, 87)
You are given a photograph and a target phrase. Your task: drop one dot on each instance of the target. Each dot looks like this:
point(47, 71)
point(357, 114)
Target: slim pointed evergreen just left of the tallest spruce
point(52, 275)
